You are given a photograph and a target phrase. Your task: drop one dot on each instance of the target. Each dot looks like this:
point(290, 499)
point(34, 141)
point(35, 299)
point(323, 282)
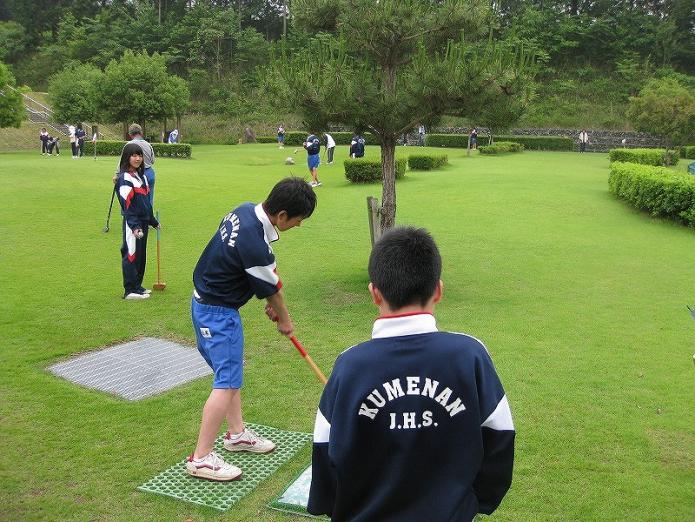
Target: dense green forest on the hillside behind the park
point(593, 55)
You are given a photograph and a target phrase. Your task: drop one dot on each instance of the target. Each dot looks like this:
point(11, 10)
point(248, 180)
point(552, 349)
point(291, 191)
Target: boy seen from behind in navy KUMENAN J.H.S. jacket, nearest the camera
point(413, 425)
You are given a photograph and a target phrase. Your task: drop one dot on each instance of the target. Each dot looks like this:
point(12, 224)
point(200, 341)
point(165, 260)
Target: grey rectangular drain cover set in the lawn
point(136, 369)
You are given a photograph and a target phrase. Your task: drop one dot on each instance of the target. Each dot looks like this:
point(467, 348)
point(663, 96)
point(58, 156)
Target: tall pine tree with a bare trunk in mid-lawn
point(391, 65)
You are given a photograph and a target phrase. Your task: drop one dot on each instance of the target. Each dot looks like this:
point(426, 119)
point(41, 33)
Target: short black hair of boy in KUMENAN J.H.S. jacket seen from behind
point(405, 266)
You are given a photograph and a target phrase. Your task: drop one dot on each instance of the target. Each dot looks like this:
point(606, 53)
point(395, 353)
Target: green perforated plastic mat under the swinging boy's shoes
point(176, 482)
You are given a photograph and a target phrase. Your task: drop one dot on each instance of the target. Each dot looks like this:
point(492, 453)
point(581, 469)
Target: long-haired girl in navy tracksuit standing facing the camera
point(133, 196)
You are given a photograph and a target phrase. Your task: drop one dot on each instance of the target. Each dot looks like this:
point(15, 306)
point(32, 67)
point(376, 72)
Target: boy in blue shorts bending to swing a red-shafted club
point(237, 264)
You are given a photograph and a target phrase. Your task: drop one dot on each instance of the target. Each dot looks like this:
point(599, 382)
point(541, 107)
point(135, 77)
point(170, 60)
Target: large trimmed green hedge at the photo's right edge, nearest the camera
point(660, 191)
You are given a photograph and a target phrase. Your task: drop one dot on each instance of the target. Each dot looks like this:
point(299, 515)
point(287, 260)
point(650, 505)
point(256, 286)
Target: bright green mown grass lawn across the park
point(580, 299)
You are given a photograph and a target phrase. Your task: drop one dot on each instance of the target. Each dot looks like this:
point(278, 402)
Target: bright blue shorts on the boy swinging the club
point(220, 342)
